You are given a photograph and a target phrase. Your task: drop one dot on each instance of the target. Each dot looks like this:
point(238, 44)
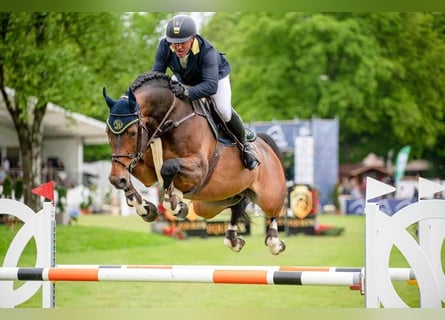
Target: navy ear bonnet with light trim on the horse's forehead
point(122, 115)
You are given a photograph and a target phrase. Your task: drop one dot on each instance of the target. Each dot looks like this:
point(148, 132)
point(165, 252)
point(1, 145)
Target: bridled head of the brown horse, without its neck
point(126, 137)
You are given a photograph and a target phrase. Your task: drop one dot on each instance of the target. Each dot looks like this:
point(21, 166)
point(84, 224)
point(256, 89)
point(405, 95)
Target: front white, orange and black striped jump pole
point(216, 275)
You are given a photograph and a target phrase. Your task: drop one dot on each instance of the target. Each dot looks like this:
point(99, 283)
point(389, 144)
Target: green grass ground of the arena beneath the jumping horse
point(106, 239)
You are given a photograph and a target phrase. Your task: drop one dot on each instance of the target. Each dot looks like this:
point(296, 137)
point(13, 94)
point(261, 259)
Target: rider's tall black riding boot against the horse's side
point(248, 153)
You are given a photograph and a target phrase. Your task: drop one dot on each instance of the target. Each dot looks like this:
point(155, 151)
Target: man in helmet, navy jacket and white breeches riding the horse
point(204, 72)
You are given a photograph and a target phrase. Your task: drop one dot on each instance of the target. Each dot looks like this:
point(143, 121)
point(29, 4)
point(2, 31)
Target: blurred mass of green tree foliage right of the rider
point(381, 74)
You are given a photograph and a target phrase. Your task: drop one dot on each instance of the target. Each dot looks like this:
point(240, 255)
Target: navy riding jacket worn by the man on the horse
point(205, 66)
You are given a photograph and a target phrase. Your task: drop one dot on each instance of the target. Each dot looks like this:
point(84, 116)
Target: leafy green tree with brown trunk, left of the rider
point(64, 58)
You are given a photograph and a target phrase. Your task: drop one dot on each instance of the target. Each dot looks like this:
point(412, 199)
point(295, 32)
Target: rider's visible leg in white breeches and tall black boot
point(223, 103)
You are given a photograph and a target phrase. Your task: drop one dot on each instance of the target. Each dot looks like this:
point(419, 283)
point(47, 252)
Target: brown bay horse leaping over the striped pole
point(157, 137)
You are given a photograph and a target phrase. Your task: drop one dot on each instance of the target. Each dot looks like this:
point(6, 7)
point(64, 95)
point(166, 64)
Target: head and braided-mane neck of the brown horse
point(149, 110)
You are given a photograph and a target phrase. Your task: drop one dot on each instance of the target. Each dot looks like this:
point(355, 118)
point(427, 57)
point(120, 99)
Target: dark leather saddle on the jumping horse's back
point(206, 107)
